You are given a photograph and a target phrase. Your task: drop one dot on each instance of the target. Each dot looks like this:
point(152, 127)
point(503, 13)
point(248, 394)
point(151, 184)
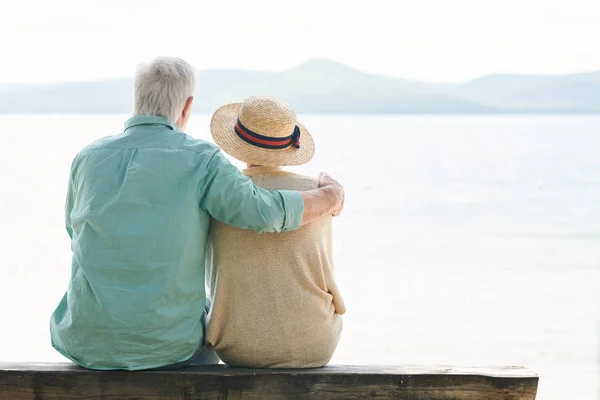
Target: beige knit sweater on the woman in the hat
point(275, 303)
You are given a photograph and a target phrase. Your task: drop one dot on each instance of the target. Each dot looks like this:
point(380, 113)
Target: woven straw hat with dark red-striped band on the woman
point(262, 131)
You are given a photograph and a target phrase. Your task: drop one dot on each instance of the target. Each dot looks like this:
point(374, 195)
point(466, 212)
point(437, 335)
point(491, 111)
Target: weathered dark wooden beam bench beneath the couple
point(66, 381)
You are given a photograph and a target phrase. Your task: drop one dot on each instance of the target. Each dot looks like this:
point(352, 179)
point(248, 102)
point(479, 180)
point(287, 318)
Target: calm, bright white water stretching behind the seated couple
point(465, 240)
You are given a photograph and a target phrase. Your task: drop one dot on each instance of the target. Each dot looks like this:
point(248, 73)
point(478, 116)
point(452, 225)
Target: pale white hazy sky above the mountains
point(433, 40)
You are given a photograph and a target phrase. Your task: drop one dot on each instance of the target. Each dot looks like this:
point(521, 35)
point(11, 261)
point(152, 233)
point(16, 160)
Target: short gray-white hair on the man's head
point(162, 87)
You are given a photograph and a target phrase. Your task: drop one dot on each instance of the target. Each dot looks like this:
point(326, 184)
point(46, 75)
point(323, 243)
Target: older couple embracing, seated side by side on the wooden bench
point(152, 212)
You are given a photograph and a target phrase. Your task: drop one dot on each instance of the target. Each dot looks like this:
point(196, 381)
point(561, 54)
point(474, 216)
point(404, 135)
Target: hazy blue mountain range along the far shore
point(324, 86)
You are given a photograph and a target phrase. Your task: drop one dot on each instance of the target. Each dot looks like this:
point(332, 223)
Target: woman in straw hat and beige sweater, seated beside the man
point(275, 301)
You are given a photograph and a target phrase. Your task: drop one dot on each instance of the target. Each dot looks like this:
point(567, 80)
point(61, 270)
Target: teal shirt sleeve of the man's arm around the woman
point(232, 198)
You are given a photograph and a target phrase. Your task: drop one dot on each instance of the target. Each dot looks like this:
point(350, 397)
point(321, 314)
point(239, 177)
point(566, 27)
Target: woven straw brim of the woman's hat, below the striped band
point(222, 132)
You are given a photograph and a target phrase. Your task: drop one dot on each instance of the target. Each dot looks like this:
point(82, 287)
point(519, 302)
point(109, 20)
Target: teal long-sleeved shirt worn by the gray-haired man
point(137, 212)
